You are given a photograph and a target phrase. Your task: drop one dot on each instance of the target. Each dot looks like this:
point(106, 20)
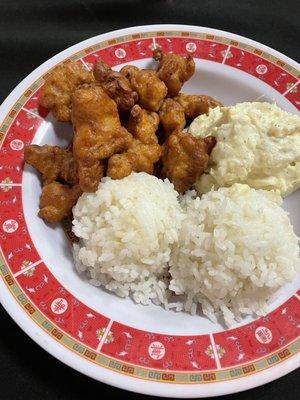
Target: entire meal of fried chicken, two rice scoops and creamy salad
point(225, 249)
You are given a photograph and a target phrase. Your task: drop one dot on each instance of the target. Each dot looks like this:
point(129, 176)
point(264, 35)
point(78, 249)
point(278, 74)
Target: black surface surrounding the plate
point(32, 31)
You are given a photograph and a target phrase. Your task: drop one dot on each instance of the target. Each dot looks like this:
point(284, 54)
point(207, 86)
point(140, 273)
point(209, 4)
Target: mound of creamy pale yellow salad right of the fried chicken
point(257, 144)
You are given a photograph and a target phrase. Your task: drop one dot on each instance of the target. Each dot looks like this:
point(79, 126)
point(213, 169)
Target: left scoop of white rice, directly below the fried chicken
point(127, 229)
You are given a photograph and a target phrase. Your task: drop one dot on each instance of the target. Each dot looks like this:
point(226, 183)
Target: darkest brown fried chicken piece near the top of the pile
point(116, 85)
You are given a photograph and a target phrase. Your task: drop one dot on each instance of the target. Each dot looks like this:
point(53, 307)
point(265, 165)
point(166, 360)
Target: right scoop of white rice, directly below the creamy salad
point(236, 247)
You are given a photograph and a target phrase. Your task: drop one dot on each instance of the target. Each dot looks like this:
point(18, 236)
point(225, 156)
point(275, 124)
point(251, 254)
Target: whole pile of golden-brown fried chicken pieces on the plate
point(92, 101)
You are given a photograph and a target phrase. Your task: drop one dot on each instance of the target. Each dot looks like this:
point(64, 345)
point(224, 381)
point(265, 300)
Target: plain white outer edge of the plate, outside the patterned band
point(83, 365)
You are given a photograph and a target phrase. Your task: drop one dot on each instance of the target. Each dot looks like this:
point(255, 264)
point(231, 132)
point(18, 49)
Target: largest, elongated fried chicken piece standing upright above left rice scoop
point(98, 133)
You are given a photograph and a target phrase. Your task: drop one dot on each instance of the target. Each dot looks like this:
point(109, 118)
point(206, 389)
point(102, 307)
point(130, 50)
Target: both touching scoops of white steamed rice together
point(227, 252)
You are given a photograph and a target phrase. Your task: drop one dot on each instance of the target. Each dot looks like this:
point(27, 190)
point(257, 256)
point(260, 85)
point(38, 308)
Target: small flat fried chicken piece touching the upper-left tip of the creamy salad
point(195, 105)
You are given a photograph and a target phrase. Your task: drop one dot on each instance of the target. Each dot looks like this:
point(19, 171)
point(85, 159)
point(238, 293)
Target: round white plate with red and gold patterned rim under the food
point(143, 349)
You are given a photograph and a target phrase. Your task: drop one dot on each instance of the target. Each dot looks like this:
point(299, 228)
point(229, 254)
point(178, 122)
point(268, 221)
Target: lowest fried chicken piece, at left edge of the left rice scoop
point(57, 200)
